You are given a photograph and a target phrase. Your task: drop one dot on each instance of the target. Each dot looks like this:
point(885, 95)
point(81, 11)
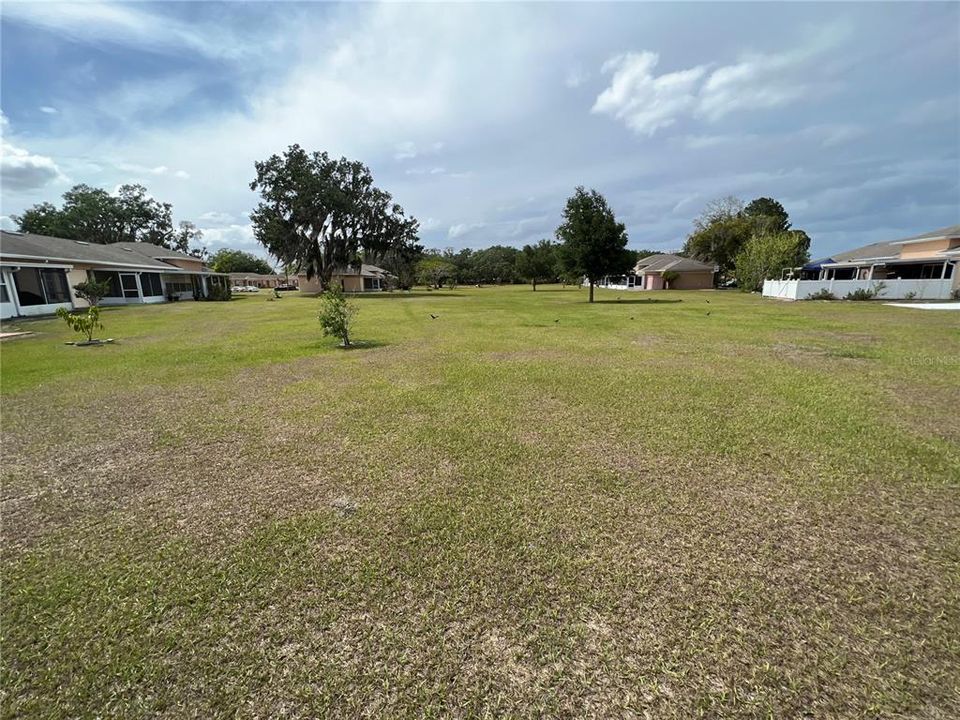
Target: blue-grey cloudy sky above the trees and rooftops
point(481, 119)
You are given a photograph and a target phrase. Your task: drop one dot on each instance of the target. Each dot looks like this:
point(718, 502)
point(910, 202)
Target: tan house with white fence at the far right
point(922, 266)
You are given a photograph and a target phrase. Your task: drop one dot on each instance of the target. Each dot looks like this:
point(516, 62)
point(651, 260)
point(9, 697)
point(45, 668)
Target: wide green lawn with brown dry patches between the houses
point(673, 505)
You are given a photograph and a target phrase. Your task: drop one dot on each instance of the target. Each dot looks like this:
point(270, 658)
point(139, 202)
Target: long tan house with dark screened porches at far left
point(38, 272)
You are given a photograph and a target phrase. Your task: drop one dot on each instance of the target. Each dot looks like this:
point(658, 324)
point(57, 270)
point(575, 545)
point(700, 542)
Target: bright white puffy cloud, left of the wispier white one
point(643, 101)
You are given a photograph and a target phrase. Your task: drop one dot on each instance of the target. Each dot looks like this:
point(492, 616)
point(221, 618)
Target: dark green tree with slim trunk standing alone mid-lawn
point(594, 243)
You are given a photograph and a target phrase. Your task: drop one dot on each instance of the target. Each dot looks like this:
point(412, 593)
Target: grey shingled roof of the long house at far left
point(141, 256)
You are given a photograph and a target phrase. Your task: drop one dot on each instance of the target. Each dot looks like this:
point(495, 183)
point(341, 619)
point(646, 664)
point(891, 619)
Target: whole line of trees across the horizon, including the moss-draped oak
point(318, 214)
